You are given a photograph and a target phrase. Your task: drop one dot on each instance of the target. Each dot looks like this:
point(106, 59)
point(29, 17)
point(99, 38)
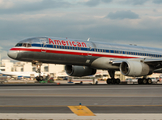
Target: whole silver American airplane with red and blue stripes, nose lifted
point(84, 57)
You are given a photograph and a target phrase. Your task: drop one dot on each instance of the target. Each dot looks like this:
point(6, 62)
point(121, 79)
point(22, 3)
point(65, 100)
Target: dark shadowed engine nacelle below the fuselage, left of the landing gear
point(79, 70)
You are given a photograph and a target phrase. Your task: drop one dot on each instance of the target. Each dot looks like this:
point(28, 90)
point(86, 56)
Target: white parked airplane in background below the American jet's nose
point(20, 74)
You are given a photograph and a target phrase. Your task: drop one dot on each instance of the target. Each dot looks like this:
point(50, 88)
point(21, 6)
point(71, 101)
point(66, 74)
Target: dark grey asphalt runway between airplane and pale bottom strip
point(98, 98)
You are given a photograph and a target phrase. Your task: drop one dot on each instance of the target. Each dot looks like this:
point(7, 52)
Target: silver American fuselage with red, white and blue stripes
point(75, 52)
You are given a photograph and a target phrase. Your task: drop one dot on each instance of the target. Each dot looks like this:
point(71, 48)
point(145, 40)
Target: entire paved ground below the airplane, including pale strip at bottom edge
point(52, 101)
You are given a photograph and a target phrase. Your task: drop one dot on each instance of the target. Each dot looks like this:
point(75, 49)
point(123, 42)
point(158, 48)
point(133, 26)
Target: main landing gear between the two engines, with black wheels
point(112, 80)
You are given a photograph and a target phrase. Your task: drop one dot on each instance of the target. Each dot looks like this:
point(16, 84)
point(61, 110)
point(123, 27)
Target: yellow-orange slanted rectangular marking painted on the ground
point(81, 111)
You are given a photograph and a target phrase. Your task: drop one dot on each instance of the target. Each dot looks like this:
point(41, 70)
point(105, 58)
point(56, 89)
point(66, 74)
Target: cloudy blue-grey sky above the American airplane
point(118, 21)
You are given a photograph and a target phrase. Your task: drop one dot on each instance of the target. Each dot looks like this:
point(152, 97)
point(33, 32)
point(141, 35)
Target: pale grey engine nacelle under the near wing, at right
point(135, 68)
